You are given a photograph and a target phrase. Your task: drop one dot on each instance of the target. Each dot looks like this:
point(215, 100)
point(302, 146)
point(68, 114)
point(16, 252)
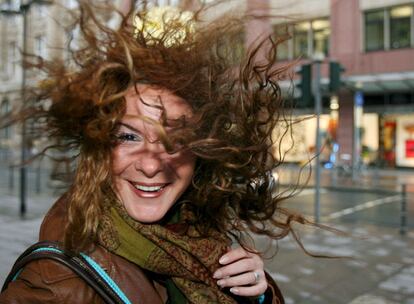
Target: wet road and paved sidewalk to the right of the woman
point(380, 267)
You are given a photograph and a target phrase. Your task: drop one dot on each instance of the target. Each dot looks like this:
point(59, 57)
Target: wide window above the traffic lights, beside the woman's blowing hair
point(308, 38)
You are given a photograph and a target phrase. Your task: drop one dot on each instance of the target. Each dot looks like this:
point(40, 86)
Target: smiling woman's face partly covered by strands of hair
point(147, 179)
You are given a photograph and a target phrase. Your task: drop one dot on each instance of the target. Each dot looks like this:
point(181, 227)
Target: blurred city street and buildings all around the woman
point(352, 86)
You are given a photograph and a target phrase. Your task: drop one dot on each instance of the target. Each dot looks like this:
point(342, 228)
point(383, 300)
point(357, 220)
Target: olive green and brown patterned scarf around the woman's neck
point(176, 251)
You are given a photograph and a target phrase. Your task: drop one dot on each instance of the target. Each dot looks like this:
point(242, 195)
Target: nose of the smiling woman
point(151, 161)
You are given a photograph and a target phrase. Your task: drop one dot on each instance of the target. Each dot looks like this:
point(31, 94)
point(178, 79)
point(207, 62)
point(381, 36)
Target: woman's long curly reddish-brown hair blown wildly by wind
point(237, 109)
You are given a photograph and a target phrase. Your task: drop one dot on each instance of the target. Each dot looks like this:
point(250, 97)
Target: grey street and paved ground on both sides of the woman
point(372, 262)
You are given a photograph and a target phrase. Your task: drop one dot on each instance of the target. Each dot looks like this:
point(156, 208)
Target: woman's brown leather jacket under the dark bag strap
point(46, 281)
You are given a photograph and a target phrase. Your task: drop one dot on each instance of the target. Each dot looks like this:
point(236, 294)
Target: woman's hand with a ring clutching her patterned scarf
point(243, 272)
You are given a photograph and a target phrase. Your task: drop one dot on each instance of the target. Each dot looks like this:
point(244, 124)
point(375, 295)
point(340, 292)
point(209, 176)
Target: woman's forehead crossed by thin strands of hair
point(150, 101)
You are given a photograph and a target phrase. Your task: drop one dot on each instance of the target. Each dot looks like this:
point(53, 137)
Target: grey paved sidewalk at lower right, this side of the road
point(381, 270)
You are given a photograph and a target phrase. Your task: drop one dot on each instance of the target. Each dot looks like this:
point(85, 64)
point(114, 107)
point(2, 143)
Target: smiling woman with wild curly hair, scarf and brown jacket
point(173, 158)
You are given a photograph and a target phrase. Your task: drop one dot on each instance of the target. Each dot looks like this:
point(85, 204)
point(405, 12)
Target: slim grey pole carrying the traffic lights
point(318, 111)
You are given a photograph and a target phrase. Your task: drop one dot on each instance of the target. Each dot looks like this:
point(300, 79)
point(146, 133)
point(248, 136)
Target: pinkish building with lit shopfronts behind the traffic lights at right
point(371, 118)
